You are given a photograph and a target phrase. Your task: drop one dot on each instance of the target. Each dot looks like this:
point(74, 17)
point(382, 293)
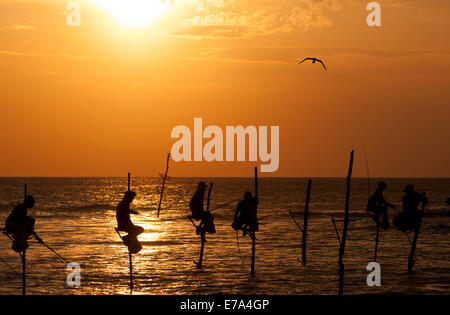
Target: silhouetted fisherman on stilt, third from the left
point(198, 213)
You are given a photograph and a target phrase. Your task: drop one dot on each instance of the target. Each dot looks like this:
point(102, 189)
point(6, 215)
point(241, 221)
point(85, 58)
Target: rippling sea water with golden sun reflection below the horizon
point(76, 217)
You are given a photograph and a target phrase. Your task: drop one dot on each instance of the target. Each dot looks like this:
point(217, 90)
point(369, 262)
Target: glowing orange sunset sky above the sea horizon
point(101, 99)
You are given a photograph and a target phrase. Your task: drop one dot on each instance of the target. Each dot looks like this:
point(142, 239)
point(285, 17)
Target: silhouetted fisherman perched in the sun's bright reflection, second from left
point(124, 223)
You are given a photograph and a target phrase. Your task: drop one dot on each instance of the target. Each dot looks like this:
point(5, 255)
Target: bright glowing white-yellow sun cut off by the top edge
point(135, 13)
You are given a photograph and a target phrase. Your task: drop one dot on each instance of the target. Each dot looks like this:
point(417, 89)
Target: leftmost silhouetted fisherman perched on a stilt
point(21, 226)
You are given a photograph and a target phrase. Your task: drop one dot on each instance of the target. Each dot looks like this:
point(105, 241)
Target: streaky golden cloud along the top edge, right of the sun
point(244, 18)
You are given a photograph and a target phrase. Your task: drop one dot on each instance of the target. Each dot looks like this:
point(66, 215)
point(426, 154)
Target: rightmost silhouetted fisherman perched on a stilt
point(407, 220)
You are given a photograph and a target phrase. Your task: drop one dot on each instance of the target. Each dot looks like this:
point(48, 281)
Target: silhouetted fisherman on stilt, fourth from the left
point(245, 216)
